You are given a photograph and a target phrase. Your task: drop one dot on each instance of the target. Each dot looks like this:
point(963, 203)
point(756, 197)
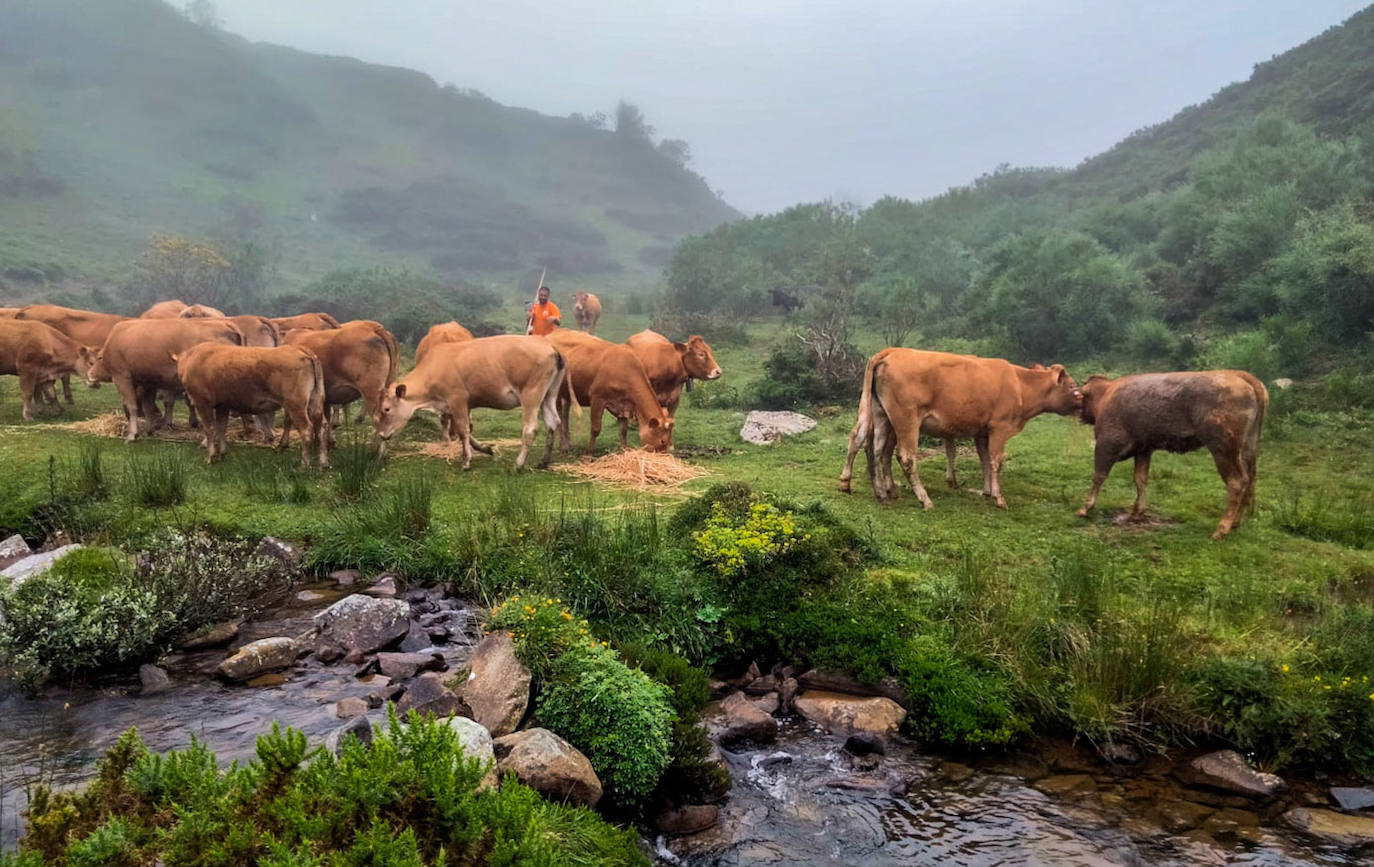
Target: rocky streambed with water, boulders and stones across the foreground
point(820, 776)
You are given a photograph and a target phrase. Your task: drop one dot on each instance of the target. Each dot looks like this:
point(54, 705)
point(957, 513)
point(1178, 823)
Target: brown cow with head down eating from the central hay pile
point(611, 379)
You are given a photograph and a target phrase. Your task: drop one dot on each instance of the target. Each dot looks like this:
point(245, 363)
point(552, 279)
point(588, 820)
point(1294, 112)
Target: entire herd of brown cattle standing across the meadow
point(310, 365)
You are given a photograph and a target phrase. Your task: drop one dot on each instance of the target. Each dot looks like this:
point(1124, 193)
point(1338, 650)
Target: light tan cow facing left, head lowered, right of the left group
point(497, 373)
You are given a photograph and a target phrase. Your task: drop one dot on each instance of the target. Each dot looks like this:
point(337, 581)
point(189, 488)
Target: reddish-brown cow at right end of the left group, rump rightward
point(359, 358)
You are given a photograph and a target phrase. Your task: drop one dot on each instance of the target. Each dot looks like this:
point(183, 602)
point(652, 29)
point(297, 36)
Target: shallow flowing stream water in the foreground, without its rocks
point(803, 800)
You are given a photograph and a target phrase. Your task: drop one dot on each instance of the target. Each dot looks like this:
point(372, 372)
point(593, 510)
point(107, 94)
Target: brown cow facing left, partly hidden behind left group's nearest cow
point(138, 359)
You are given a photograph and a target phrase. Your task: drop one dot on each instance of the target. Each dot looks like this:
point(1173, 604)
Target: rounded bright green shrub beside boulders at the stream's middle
point(618, 717)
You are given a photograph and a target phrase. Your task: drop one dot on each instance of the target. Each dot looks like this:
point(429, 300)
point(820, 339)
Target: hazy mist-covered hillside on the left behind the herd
point(122, 119)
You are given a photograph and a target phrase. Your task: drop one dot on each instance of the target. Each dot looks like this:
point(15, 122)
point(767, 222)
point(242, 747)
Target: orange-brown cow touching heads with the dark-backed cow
point(909, 392)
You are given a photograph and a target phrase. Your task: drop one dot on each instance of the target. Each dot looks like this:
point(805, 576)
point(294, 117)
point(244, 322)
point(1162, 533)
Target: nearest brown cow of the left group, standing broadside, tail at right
point(221, 380)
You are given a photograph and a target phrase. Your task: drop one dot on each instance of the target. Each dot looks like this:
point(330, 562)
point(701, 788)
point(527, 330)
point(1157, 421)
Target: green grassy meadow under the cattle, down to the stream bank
point(1038, 622)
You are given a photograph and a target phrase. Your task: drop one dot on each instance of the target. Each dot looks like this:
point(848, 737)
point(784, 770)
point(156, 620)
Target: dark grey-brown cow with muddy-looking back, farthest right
point(1134, 417)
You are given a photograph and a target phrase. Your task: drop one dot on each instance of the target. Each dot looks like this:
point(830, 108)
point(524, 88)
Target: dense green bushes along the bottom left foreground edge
point(410, 798)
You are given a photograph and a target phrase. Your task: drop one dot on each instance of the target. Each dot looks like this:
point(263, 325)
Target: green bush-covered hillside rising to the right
point(1237, 233)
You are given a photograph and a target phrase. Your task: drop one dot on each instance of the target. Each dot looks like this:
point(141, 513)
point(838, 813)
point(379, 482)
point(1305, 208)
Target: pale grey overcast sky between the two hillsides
point(791, 101)
